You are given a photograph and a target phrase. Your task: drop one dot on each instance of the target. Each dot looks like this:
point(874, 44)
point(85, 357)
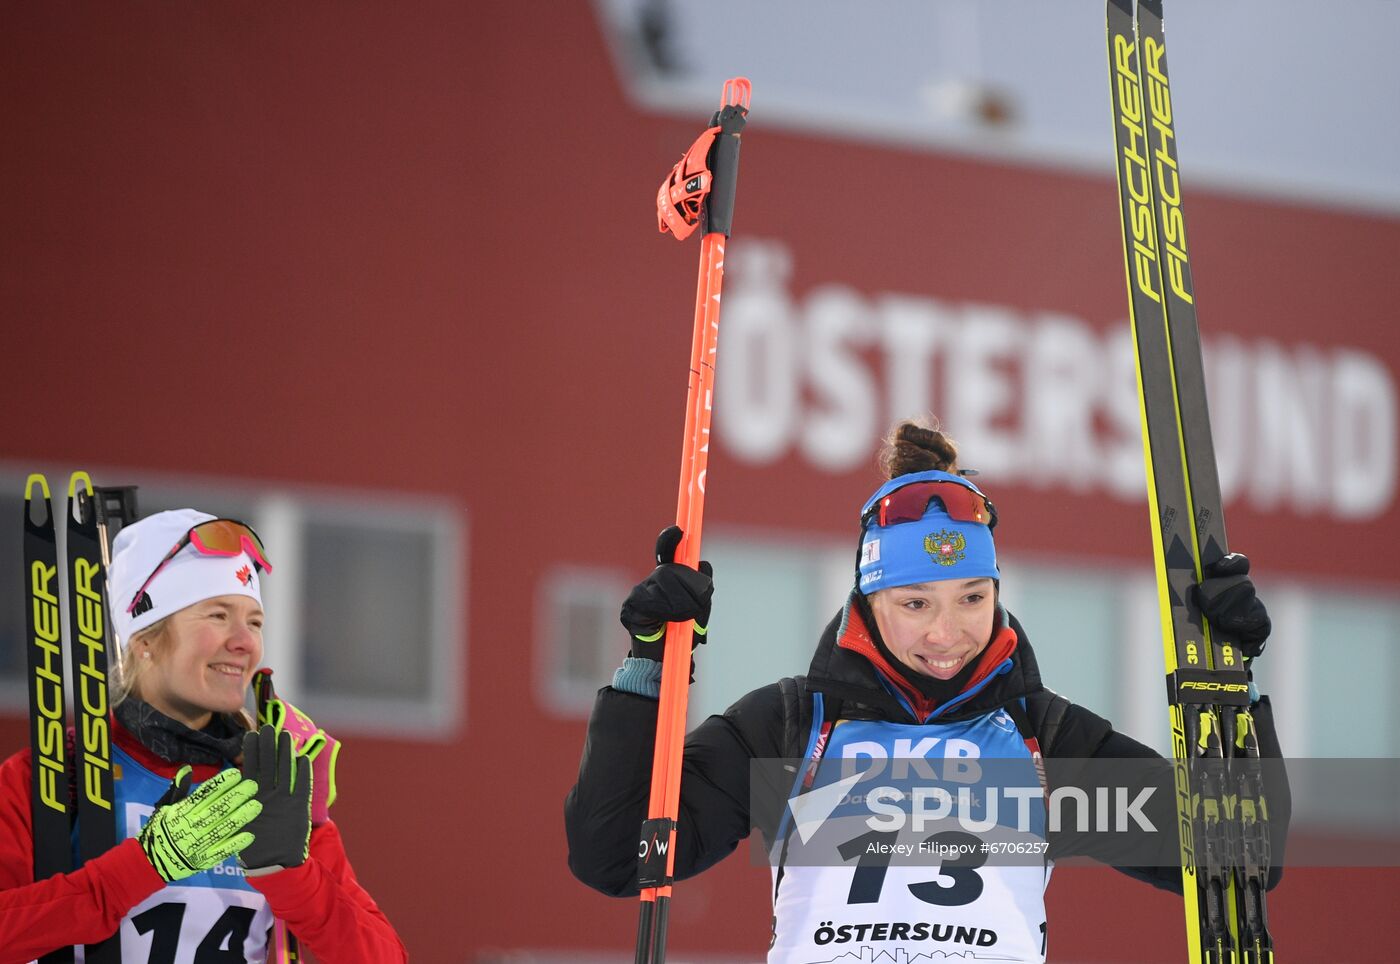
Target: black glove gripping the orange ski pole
point(671, 594)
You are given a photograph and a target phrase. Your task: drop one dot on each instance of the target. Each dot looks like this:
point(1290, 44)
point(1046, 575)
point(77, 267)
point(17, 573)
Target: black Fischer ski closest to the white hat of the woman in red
point(89, 651)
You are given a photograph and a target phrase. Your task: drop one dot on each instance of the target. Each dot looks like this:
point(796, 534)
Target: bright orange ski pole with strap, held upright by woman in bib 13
point(699, 188)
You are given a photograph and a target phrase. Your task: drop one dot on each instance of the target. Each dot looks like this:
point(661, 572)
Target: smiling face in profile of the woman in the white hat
point(211, 653)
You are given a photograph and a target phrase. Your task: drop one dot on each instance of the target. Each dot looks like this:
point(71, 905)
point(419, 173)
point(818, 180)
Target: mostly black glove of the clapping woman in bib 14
point(282, 830)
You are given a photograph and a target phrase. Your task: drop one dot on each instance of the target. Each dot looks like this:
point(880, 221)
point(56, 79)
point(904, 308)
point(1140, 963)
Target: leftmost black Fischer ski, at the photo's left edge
point(51, 794)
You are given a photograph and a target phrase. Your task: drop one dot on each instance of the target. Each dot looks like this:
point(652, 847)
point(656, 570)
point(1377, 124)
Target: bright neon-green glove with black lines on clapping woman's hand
point(188, 835)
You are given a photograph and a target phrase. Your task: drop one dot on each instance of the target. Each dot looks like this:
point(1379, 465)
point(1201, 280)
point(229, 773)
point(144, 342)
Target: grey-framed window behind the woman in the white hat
point(365, 612)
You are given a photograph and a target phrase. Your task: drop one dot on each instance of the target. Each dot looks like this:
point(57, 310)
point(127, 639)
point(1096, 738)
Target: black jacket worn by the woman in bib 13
point(605, 809)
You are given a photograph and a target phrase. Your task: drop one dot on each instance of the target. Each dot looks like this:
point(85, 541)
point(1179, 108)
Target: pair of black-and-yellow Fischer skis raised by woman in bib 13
point(1220, 802)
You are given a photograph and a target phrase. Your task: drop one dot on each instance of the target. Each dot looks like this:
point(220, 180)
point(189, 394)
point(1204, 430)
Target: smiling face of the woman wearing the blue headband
point(937, 629)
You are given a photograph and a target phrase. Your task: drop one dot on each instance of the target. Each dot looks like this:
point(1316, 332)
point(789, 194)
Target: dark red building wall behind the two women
point(411, 248)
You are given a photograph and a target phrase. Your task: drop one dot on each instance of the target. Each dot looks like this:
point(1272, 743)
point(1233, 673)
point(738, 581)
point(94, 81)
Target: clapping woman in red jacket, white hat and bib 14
point(227, 871)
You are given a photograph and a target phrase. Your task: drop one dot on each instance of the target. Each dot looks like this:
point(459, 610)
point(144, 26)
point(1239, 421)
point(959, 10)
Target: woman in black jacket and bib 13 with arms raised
point(923, 662)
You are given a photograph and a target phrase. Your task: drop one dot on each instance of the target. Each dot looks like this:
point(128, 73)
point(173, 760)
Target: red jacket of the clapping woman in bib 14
point(321, 902)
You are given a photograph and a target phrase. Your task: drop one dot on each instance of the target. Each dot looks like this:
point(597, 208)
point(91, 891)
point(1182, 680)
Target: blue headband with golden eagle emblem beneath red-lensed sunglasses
point(930, 551)
